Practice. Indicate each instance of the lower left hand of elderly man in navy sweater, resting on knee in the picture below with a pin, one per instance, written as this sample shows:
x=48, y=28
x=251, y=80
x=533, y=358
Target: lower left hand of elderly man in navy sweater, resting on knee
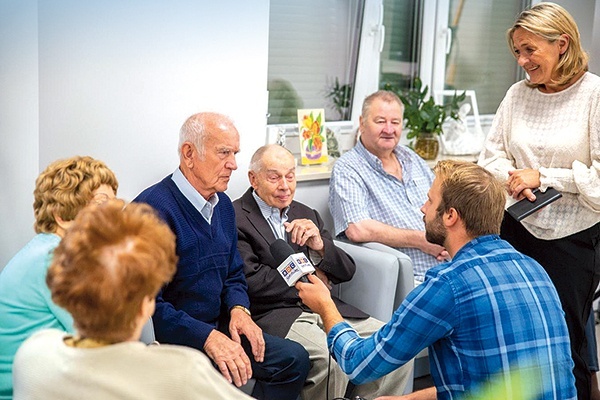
x=230, y=357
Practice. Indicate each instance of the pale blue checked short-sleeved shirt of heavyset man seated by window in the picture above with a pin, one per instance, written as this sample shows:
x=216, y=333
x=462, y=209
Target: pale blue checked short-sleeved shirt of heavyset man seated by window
x=361, y=189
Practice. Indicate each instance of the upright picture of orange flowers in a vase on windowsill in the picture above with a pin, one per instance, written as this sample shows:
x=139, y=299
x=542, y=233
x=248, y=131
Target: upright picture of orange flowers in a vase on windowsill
x=313, y=143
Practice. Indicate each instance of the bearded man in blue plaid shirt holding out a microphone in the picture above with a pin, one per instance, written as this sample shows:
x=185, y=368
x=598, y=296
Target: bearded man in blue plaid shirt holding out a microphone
x=491, y=316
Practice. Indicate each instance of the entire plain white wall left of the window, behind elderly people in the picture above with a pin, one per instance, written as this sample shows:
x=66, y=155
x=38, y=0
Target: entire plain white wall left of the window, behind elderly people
x=116, y=81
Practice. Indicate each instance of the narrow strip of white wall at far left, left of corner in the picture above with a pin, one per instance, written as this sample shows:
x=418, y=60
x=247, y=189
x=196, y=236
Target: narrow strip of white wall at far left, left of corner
x=18, y=122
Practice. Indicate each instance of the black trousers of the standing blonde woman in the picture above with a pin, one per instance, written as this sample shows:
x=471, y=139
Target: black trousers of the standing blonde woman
x=573, y=264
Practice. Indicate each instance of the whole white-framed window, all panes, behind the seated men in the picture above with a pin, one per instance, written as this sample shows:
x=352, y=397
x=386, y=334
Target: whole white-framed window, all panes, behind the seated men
x=449, y=44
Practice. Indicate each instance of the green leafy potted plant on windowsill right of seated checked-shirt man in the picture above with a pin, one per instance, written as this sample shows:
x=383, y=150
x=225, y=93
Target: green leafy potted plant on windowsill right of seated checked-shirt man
x=424, y=118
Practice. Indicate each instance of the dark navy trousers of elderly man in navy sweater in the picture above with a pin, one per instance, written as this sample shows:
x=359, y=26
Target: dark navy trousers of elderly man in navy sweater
x=282, y=373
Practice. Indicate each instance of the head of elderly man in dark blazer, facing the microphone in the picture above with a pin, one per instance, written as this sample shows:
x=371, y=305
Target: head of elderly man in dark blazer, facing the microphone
x=272, y=174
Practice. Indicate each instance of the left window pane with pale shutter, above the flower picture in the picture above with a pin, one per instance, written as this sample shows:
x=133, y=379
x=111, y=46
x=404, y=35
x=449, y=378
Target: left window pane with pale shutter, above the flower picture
x=313, y=50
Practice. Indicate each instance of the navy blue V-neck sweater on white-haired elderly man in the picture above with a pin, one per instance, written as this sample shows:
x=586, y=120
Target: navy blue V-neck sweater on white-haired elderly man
x=210, y=277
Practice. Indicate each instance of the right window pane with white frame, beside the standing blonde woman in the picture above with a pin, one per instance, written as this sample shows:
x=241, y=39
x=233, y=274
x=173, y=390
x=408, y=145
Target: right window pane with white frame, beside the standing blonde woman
x=471, y=51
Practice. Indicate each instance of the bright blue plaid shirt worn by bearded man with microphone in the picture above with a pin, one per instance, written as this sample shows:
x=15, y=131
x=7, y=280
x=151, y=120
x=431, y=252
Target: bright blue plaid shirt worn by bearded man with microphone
x=489, y=314
